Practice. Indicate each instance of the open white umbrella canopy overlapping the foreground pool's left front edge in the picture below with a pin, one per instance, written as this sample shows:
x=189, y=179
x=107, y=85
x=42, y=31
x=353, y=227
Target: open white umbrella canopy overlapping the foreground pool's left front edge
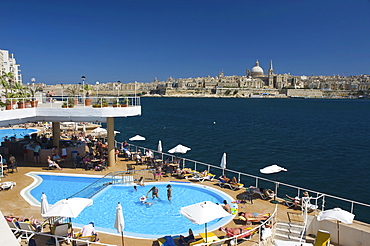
x=68, y=208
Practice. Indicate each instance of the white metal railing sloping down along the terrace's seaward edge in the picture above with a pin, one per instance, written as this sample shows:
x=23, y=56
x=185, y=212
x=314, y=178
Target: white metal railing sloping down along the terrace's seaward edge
x=321, y=199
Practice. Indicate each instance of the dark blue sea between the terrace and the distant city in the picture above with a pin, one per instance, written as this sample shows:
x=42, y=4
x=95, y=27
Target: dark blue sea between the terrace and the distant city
x=323, y=143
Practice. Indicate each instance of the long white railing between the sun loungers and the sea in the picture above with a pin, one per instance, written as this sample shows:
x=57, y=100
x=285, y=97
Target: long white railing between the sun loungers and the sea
x=319, y=197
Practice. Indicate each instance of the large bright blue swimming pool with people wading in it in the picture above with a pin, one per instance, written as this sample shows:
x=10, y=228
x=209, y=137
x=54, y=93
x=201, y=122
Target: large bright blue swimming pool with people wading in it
x=162, y=218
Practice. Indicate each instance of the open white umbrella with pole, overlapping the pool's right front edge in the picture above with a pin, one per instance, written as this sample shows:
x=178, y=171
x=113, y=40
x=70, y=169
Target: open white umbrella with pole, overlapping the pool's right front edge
x=203, y=212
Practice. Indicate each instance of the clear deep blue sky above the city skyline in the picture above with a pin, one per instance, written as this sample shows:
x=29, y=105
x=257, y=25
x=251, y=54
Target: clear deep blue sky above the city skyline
x=111, y=40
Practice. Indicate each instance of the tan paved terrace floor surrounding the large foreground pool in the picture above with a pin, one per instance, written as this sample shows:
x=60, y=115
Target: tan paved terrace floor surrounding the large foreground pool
x=13, y=204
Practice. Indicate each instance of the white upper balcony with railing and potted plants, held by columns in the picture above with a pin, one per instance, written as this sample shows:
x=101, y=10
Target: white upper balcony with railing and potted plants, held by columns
x=20, y=110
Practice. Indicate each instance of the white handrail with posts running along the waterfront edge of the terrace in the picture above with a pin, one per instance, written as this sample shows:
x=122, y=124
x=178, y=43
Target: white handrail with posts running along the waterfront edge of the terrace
x=319, y=195
